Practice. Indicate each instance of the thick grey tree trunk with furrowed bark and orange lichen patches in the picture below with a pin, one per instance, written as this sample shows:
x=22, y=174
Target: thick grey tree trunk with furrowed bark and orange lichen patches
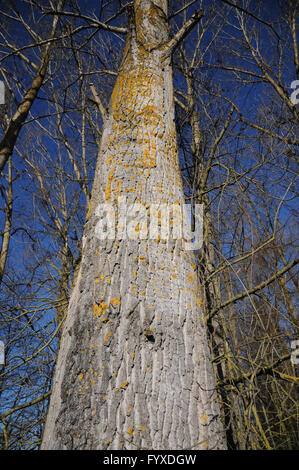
x=134, y=367
